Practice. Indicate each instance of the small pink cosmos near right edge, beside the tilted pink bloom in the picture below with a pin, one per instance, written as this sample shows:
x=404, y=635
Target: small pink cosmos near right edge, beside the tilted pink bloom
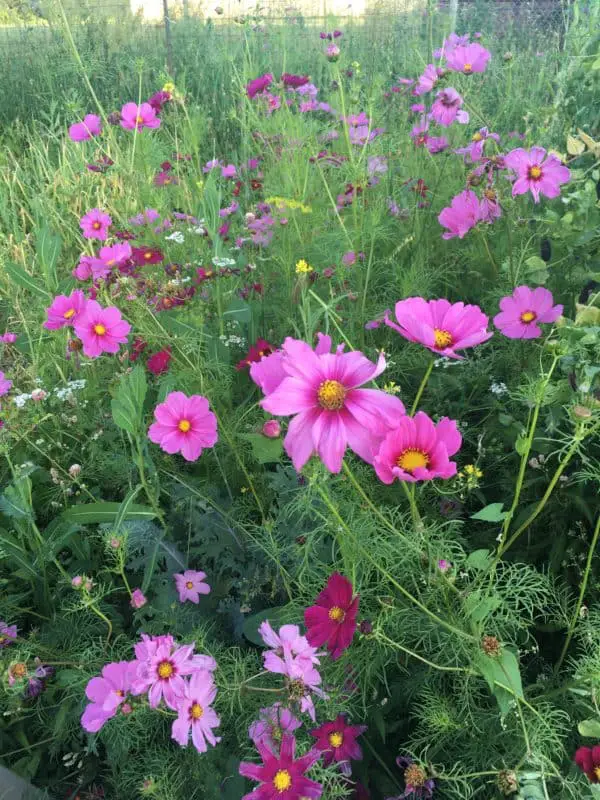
x=523, y=310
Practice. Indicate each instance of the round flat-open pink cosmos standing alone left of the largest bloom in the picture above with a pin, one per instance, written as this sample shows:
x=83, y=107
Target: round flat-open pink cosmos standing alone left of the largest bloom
x=184, y=425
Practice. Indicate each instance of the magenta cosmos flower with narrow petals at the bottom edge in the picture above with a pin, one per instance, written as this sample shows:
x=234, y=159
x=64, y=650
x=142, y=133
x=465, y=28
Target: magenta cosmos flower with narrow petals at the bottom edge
x=282, y=777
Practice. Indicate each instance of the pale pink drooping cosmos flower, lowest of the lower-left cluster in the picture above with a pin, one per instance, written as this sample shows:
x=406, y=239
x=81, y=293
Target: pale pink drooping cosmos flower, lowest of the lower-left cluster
x=195, y=713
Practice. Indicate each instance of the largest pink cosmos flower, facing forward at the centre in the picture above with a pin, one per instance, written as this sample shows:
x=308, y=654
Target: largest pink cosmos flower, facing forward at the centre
x=331, y=411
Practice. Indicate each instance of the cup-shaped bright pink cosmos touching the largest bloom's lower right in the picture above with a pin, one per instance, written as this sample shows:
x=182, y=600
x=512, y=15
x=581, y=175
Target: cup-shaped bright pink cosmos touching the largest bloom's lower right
x=418, y=450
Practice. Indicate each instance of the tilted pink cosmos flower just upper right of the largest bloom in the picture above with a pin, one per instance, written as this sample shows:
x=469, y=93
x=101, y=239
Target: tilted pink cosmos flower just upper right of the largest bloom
x=441, y=326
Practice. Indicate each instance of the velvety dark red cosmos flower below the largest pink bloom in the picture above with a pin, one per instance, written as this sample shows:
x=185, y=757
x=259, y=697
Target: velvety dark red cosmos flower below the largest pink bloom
x=332, y=619
